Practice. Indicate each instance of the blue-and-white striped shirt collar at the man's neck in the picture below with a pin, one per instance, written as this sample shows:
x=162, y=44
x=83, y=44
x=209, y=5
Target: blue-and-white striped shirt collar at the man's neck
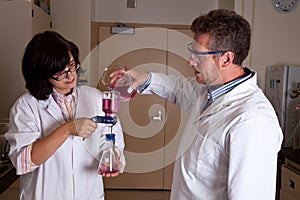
x=214, y=92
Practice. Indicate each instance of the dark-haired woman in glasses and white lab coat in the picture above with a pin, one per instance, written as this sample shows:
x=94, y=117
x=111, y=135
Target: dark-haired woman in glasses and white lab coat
x=54, y=144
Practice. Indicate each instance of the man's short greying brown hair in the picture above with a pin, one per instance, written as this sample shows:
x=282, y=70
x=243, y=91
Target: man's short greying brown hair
x=228, y=30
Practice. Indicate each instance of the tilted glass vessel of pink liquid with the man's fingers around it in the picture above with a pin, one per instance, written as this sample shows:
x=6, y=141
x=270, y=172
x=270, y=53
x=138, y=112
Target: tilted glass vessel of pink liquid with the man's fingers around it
x=120, y=81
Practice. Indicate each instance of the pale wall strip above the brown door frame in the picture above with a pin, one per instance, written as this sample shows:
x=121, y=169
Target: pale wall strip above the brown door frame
x=152, y=11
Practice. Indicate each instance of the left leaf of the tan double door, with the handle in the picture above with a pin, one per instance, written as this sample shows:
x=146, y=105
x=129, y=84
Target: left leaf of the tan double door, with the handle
x=144, y=137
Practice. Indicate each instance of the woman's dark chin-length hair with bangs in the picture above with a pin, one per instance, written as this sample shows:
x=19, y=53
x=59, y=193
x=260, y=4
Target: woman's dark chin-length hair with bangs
x=45, y=55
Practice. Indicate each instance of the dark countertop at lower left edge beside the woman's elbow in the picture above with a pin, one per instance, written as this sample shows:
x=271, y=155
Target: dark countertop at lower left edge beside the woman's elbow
x=8, y=176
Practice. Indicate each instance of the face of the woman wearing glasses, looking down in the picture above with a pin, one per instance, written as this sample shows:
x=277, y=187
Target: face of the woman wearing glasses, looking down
x=65, y=80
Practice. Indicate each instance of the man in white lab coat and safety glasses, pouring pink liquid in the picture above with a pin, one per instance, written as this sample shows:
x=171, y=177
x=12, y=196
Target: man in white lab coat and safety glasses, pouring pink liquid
x=231, y=140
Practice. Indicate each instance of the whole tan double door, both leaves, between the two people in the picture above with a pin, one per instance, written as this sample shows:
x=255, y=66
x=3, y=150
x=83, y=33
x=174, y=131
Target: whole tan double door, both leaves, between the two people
x=151, y=144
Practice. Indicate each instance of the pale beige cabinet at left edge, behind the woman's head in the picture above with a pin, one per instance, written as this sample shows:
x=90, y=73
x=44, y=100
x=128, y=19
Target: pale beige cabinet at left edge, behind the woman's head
x=19, y=21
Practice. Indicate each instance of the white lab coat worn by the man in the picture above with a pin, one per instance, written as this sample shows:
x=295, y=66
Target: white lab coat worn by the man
x=230, y=150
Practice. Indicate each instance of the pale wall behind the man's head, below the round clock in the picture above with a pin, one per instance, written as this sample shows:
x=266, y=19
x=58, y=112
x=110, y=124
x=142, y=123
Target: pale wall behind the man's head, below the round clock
x=275, y=36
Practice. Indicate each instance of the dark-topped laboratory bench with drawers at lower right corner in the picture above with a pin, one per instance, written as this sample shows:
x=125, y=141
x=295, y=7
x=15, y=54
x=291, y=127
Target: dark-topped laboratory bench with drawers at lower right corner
x=288, y=174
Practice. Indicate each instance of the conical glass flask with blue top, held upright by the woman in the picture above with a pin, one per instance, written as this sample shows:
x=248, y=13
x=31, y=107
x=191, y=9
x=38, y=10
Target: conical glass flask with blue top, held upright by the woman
x=109, y=161
